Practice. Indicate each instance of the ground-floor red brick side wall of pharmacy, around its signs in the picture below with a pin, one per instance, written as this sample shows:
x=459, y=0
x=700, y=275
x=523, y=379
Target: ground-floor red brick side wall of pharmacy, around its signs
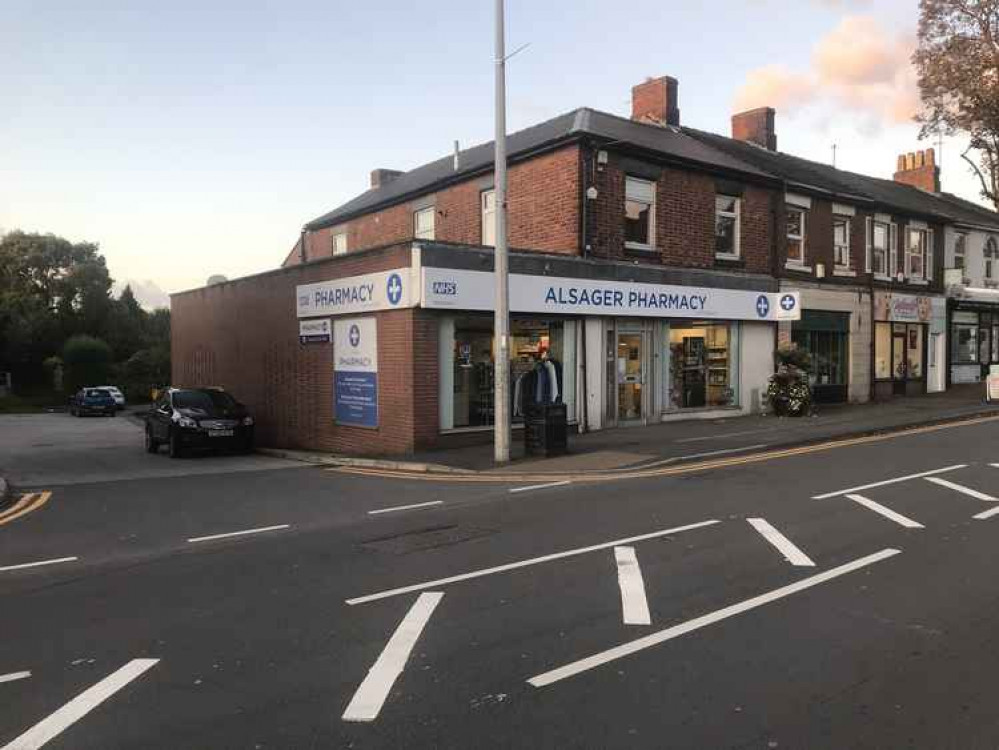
x=243, y=335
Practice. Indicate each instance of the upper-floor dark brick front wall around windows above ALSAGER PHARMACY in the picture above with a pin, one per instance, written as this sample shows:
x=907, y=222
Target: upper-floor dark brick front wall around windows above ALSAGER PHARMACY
x=685, y=220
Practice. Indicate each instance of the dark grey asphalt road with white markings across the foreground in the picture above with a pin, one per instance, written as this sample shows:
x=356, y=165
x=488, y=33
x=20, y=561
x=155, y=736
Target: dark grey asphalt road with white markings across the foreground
x=722, y=610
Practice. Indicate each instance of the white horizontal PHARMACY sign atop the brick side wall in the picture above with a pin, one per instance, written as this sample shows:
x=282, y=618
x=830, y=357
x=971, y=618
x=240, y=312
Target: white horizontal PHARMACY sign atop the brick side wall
x=387, y=290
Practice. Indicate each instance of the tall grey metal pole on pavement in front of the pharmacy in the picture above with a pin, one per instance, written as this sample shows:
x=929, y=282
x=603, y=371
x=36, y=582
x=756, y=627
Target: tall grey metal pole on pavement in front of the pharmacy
x=501, y=326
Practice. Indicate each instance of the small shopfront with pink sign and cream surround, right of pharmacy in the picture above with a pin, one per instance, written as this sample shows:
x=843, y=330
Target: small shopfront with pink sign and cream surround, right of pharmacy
x=909, y=332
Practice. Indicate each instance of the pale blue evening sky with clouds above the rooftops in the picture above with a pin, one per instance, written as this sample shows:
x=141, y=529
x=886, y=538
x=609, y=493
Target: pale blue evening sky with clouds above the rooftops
x=192, y=138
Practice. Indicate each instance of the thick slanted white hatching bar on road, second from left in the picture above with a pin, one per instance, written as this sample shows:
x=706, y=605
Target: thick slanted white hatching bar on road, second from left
x=370, y=696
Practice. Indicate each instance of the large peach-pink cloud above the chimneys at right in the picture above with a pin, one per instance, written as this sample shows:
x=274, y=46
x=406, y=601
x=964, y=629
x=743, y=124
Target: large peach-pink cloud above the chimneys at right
x=858, y=65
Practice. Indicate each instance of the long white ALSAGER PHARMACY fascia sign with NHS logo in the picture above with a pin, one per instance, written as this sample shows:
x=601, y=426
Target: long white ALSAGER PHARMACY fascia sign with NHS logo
x=474, y=290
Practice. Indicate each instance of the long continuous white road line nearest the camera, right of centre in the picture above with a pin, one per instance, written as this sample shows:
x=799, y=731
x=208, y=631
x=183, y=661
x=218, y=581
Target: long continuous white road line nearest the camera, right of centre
x=654, y=639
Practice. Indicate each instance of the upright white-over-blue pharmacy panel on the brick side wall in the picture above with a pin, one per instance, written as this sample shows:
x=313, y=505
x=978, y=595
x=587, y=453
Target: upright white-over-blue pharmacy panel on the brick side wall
x=355, y=377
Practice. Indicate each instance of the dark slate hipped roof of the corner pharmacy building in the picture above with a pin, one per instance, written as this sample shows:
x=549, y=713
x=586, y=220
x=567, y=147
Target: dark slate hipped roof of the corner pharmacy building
x=671, y=143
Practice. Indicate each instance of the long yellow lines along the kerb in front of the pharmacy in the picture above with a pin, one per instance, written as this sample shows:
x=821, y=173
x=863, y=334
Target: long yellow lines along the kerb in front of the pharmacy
x=639, y=473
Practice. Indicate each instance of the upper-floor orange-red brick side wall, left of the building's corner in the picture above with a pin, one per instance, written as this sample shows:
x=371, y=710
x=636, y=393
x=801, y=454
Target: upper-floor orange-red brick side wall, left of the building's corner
x=543, y=212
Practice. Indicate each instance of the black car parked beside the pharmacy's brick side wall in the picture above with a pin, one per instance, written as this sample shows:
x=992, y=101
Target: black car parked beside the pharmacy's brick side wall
x=198, y=418
